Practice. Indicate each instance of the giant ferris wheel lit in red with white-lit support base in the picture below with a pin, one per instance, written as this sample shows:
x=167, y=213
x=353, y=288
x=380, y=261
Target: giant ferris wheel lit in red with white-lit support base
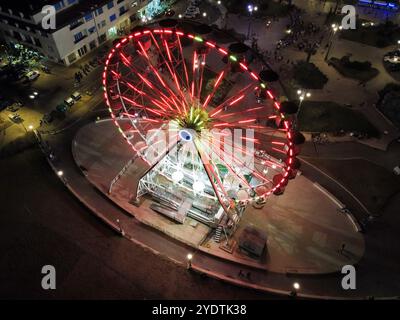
x=201, y=122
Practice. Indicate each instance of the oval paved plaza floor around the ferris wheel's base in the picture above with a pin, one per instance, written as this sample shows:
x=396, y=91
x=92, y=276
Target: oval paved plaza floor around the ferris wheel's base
x=304, y=226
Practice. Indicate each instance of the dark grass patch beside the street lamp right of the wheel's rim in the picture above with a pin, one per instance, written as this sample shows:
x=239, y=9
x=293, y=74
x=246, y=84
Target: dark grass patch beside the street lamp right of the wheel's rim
x=325, y=116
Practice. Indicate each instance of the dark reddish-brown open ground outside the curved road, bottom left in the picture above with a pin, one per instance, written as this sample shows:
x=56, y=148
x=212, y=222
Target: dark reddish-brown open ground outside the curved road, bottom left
x=41, y=223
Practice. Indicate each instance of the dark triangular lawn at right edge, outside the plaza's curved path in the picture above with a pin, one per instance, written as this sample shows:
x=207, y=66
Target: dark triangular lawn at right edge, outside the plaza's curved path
x=370, y=183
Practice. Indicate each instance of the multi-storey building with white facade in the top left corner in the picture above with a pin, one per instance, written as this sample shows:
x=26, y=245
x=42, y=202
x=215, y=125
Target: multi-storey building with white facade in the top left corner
x=80, y=25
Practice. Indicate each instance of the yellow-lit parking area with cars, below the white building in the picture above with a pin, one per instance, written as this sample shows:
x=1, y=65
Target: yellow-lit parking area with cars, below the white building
x=44, y=101
